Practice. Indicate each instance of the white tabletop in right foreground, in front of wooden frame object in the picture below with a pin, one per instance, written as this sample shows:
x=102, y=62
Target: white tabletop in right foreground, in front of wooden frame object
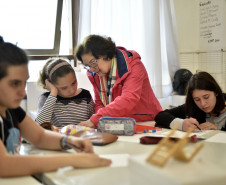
x=207, y=167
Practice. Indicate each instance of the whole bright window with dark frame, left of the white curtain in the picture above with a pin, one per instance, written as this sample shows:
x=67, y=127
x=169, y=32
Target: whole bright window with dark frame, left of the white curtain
x=42, y=27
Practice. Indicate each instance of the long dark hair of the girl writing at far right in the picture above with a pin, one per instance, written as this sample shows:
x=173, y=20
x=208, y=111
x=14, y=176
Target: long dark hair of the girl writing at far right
x=203, y=81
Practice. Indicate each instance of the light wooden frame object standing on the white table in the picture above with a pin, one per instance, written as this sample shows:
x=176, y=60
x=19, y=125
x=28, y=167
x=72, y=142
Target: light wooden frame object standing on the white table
x=167, y=148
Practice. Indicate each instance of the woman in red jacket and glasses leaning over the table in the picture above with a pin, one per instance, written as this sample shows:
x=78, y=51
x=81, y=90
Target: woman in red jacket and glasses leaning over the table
x=120, y=81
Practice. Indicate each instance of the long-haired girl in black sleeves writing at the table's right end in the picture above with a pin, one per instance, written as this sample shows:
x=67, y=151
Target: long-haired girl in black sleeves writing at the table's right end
x=204, y=106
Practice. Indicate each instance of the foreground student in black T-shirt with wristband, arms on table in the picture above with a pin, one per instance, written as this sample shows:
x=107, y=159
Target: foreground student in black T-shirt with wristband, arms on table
x=15, y=123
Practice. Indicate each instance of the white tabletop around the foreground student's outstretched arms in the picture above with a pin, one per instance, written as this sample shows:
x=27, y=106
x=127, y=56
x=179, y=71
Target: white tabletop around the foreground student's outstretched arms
x=118, y=151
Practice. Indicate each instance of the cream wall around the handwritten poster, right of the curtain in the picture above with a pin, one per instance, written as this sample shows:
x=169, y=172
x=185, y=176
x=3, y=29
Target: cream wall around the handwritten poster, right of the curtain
x=194, y=53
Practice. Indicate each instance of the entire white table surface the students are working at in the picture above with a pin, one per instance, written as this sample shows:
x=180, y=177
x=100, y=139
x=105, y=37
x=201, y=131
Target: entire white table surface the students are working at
x=129, y=166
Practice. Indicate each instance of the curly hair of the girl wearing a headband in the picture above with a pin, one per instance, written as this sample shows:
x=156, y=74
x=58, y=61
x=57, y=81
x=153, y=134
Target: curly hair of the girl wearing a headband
x=58, y=73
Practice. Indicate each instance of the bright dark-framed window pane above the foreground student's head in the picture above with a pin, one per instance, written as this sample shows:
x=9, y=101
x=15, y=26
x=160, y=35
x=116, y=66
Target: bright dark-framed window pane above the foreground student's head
x=32, y=25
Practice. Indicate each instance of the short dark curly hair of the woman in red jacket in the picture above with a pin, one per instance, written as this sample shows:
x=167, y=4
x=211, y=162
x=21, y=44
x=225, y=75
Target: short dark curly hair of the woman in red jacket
x=98, y=46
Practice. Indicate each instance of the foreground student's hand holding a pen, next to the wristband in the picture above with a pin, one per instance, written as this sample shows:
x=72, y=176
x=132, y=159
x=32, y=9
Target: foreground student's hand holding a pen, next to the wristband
x=84, y=144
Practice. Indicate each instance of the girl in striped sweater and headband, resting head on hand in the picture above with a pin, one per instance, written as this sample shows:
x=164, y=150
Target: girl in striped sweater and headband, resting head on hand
x=64, y=104
